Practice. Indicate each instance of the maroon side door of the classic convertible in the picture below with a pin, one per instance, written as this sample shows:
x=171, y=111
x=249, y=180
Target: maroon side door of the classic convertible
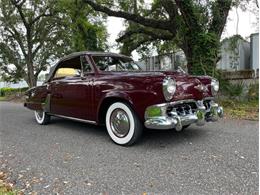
x=71, y=96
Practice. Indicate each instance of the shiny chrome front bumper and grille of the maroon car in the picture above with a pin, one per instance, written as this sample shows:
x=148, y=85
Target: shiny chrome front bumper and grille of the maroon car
x=182, y=113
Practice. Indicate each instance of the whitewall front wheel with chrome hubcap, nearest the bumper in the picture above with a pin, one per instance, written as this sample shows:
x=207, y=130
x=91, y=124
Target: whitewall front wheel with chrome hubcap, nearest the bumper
x=123, y=126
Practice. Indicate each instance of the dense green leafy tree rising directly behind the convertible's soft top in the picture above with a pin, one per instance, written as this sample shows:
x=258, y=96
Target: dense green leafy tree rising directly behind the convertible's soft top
x=85, y=27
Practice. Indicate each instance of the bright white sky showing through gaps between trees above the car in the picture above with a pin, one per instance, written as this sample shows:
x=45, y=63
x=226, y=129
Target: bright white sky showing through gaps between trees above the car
x=246, y=26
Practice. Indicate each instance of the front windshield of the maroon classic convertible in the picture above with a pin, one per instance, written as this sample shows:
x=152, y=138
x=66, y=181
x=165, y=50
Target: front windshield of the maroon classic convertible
x=112, y=63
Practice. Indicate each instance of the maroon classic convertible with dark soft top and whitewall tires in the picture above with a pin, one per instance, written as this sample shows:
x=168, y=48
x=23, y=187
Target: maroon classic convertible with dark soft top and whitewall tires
x=111, y=89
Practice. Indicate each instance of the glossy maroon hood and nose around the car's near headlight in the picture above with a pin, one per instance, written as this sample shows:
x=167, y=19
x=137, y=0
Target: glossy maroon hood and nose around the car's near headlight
x=152, y=81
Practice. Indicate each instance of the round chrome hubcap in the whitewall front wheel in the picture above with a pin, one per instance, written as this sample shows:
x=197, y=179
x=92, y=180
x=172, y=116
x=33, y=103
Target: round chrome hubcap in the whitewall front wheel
x=119, y=123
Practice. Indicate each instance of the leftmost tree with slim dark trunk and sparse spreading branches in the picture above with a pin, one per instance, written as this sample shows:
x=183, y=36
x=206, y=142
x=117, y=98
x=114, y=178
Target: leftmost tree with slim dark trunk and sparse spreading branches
x=30, y=38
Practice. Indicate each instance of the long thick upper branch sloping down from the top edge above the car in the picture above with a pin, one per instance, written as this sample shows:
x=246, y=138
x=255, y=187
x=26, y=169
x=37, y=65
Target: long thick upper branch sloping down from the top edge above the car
x=161, y=24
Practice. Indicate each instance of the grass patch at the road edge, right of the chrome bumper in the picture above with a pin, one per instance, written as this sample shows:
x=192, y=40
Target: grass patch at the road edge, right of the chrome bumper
x=241, y=109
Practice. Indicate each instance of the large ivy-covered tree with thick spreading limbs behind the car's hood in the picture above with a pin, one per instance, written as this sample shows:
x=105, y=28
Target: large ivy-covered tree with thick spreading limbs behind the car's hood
x=194, y=25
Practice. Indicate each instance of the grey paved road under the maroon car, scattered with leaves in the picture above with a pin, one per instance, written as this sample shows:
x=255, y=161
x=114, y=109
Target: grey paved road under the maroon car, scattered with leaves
x=68, y=157
